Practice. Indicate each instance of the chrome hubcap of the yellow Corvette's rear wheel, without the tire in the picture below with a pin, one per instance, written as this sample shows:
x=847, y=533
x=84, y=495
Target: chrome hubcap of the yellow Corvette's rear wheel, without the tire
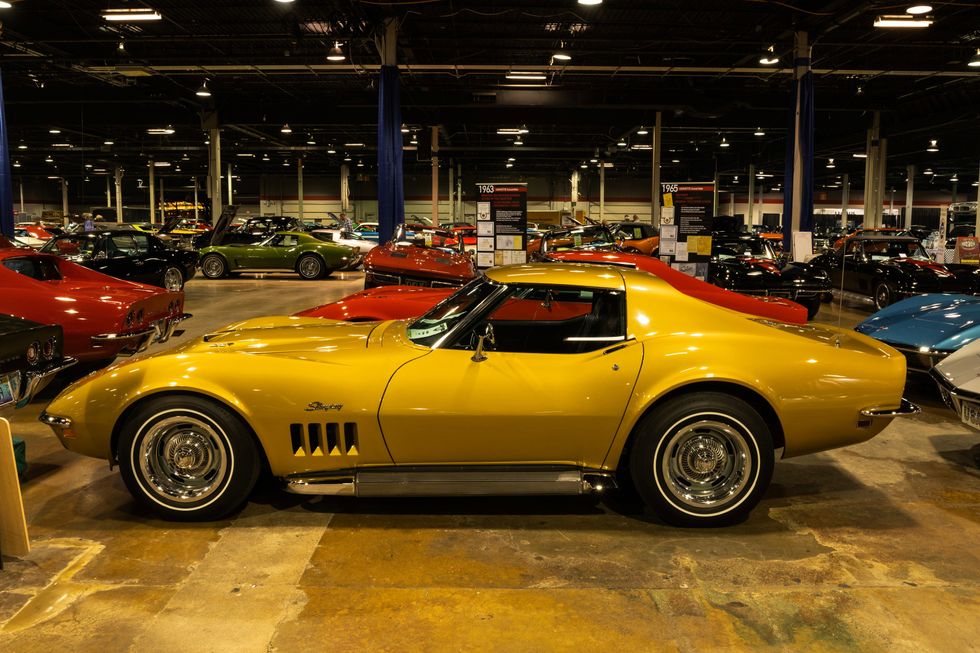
x=706, y=463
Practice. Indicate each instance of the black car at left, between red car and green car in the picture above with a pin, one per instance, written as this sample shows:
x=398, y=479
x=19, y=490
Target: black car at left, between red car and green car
x=127, y=254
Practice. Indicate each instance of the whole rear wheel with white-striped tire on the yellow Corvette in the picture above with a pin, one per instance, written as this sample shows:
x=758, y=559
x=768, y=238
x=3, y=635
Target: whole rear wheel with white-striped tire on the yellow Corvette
x=702, y=459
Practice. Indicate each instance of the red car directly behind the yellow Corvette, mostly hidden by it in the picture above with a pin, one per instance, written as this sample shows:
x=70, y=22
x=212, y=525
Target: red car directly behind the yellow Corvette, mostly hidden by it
x=401, y=302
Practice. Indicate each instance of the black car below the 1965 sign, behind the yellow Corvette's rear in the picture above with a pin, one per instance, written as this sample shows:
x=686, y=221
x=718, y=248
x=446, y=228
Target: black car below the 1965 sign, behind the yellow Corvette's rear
x=749, y=265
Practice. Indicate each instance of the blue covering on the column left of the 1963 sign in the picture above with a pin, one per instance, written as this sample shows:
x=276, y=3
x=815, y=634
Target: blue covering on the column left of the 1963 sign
x=391, y=192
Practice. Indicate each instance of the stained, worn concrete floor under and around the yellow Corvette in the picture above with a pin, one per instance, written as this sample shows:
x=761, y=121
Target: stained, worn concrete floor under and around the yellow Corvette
x=870, y=548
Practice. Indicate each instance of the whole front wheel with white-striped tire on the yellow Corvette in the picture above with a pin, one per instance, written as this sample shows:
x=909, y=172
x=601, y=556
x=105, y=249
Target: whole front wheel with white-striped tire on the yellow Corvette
x=187, y=458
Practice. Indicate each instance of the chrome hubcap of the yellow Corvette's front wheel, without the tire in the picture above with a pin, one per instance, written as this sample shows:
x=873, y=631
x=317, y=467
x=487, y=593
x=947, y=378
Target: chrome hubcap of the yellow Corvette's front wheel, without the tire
x=183, y=459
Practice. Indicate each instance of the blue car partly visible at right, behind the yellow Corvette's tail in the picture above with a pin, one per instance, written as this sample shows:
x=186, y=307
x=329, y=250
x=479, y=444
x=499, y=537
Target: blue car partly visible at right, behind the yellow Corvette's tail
x=926, y=328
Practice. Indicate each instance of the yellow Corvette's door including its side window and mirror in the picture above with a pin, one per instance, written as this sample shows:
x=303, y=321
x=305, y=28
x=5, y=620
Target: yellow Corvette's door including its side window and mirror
x=552, y=389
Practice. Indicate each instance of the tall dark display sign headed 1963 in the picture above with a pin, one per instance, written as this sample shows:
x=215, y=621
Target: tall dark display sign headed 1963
x=501, y=224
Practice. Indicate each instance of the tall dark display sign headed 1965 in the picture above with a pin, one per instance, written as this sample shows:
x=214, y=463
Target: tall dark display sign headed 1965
x=686, y=218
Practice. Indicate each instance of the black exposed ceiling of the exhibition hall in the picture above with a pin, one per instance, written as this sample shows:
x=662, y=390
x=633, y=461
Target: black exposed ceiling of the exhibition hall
x=697, y=62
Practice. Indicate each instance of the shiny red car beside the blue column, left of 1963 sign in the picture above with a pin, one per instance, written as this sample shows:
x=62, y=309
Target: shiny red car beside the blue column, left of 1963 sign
x=407, y=262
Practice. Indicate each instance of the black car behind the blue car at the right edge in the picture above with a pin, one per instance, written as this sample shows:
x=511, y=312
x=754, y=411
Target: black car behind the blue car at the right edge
x=884, y=269
